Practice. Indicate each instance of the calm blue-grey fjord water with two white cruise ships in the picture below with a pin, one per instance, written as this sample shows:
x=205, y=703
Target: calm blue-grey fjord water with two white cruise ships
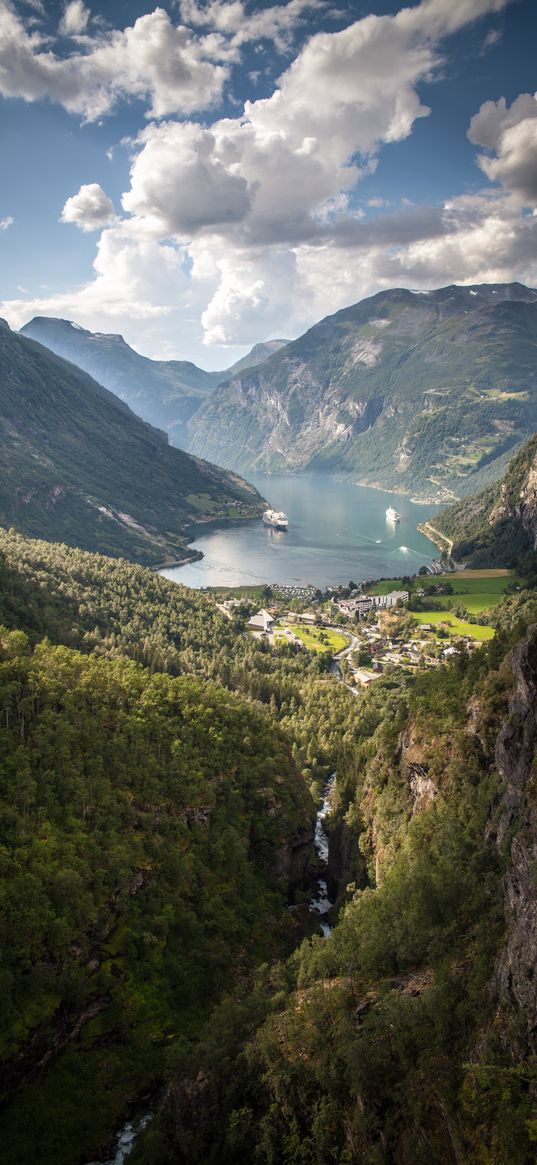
x=337, y=532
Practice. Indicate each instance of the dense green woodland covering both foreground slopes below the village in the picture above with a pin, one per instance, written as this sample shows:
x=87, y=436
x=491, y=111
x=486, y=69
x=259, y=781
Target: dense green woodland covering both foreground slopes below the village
x=157, y=766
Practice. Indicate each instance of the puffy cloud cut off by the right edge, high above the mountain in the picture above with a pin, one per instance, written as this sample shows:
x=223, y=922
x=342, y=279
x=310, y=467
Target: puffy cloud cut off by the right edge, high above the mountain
x=512, y=135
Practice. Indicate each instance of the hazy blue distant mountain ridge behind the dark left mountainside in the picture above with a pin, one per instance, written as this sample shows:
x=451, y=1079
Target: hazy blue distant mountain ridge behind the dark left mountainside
x=164, y=392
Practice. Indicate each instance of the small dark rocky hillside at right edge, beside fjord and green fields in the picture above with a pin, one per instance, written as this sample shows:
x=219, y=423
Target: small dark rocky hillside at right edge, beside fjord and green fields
x=499, y=525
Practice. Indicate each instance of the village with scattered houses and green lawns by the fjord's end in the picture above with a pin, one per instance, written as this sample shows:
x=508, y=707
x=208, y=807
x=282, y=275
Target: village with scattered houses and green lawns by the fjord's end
x=388, y=627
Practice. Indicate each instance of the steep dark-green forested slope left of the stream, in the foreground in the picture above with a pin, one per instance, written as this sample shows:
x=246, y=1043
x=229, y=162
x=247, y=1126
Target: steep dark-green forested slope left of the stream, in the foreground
x=140, y=877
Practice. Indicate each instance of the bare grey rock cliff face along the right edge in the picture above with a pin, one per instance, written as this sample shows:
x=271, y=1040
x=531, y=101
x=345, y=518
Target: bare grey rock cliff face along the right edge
x=517, y=969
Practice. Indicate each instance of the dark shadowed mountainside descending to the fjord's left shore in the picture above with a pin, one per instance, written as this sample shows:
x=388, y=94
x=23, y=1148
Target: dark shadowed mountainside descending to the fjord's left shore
x=77, y=465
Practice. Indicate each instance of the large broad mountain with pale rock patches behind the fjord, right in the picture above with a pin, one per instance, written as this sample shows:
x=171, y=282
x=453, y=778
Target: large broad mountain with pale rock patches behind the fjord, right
x=415, y=392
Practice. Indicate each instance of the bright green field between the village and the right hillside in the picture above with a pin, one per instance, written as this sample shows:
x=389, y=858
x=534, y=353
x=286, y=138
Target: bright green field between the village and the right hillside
x=476, y=590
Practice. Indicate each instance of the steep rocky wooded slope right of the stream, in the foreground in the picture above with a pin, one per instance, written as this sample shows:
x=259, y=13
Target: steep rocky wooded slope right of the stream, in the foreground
x=409, y=1036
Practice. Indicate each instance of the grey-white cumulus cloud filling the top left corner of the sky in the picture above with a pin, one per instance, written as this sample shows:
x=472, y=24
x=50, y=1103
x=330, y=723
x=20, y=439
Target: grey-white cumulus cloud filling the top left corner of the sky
x=164, y=65
